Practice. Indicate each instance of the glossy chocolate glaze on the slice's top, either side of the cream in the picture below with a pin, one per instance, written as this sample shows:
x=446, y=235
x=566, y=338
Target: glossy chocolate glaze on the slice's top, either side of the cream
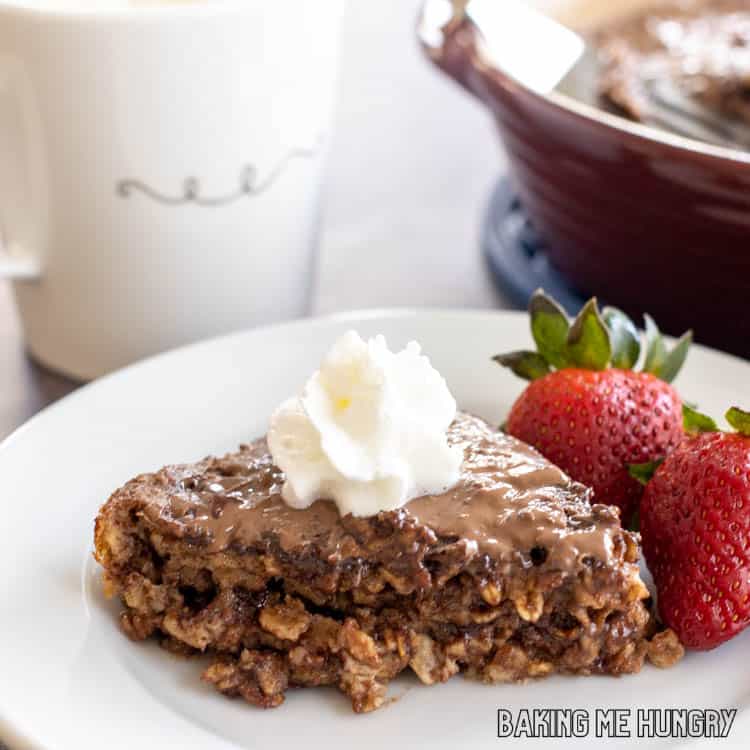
x=508, y=499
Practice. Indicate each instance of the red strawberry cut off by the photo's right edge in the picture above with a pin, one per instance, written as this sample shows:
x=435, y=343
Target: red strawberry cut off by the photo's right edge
x=695, y=525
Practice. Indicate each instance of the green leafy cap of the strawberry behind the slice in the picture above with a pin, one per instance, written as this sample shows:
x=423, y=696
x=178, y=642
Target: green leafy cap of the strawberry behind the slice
x=593, y=341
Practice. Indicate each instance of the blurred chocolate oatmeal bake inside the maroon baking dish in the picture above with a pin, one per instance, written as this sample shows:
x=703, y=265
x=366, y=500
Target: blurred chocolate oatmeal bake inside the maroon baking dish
x=684, y=65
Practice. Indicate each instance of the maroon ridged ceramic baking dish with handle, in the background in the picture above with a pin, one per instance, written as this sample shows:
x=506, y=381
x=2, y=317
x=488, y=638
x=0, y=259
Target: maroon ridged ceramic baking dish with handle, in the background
x=647, y=220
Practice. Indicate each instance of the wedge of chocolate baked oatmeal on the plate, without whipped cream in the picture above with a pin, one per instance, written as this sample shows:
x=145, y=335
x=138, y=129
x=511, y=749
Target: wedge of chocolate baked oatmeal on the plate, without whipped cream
x=511, y=574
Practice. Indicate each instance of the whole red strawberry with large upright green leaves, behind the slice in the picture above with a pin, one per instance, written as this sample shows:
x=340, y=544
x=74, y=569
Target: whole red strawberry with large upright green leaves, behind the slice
x=594, y=415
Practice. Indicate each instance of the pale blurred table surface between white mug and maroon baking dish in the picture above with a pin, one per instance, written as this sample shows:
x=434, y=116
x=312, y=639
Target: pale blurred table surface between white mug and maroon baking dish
x=413, y=161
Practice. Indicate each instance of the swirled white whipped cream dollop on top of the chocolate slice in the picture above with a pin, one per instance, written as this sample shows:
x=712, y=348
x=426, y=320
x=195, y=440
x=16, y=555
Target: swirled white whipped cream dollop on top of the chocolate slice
x=368, y=430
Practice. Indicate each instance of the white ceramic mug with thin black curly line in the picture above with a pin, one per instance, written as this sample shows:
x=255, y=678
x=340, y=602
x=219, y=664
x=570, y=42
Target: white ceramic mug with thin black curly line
x=159, y=169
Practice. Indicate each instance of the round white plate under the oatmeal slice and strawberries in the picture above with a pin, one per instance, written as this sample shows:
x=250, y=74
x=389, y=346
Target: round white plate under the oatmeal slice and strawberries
x=69, y=679
